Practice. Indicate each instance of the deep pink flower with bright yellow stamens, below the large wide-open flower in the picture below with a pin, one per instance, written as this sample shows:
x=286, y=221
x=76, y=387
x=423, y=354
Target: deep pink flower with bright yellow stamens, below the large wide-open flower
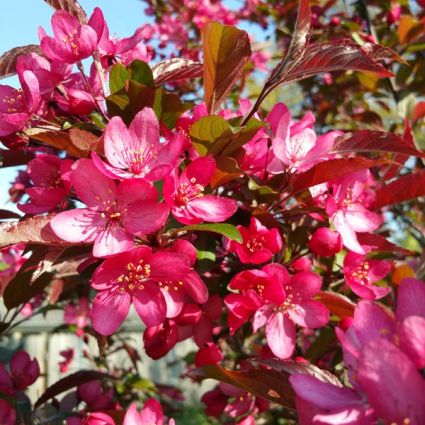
x=134, y=277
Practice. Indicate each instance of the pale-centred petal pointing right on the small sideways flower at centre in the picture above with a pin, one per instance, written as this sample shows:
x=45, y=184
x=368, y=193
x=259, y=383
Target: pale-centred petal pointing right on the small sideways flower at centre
x=214, y=209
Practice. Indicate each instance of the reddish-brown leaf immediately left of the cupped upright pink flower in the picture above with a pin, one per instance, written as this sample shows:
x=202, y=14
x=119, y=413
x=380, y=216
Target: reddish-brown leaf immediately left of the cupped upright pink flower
x=75, y=141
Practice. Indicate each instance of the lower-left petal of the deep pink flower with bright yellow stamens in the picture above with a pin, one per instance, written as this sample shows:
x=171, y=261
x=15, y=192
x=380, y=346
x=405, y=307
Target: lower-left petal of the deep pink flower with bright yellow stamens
x=110, y=308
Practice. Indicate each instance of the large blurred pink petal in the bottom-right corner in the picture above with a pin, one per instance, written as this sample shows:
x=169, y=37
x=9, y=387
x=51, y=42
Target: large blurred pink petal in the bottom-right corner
x=394, y=387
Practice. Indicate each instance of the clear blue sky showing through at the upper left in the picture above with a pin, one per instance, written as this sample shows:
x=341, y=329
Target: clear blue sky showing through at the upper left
x=19, y=27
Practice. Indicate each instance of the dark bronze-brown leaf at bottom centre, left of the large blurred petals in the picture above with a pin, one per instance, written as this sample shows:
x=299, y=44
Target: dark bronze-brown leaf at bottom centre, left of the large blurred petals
x=269, y=384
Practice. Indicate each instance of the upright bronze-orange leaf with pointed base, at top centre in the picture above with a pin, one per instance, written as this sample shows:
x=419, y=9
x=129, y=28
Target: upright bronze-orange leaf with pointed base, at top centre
x=226, y=50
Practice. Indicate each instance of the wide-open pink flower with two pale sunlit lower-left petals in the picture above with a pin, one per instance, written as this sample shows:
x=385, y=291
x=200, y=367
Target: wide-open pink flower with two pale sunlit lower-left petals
x=114, y=213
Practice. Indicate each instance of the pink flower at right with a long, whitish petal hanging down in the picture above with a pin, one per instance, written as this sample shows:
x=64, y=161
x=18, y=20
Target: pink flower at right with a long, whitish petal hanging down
x=347, y=209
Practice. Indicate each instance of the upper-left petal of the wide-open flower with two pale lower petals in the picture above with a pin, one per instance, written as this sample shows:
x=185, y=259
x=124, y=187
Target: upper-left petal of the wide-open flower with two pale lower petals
x=99, y=195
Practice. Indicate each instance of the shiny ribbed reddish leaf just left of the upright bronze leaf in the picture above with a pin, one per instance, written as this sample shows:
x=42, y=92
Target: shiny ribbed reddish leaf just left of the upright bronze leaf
x=176, y=69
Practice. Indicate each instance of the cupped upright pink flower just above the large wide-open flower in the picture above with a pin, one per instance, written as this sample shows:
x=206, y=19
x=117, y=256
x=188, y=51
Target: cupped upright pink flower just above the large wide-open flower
x=136, y=151
